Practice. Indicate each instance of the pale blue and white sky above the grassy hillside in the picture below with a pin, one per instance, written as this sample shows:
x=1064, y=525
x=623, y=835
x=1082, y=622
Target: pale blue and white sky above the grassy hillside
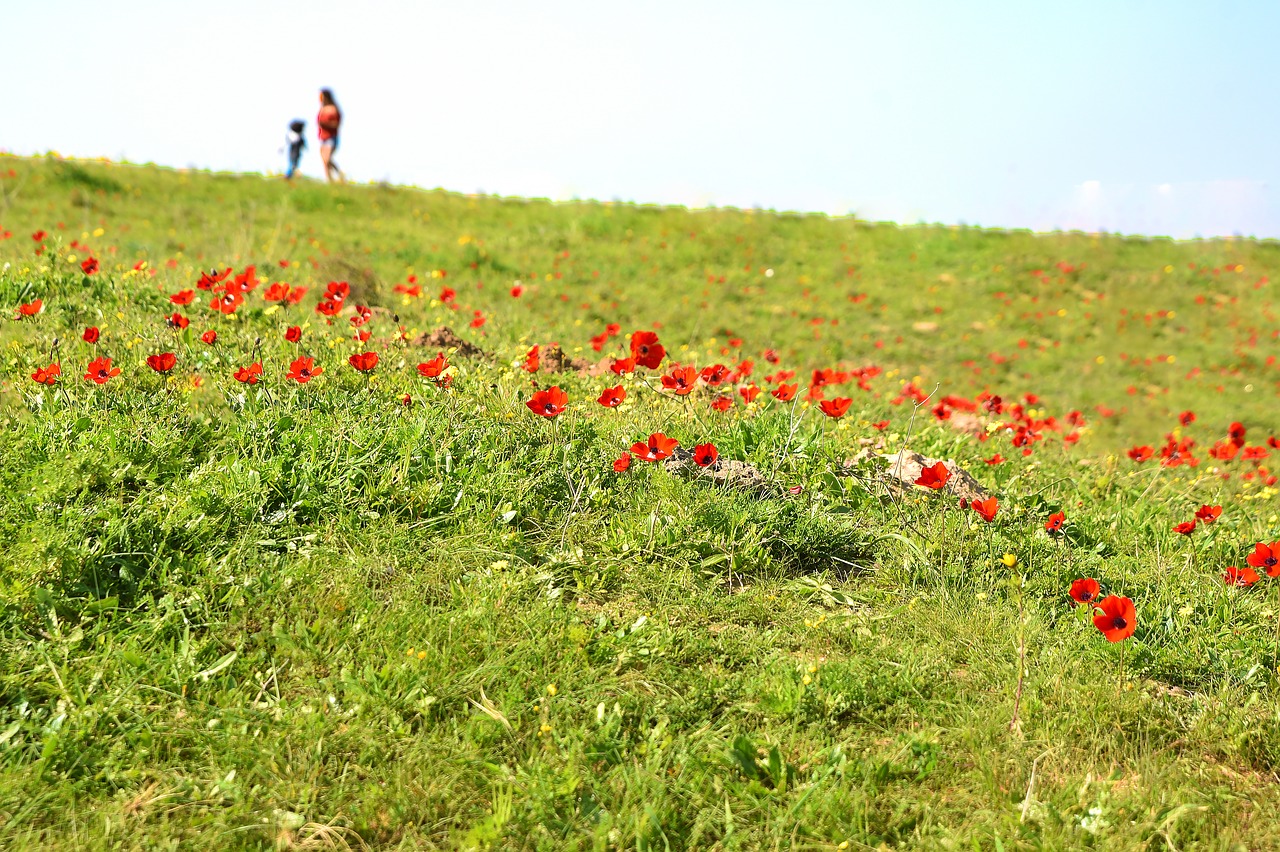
x=1124, y=116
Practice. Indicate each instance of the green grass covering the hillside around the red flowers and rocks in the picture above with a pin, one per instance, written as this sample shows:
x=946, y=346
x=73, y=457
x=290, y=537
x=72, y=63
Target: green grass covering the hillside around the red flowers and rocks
x=309, y=616
